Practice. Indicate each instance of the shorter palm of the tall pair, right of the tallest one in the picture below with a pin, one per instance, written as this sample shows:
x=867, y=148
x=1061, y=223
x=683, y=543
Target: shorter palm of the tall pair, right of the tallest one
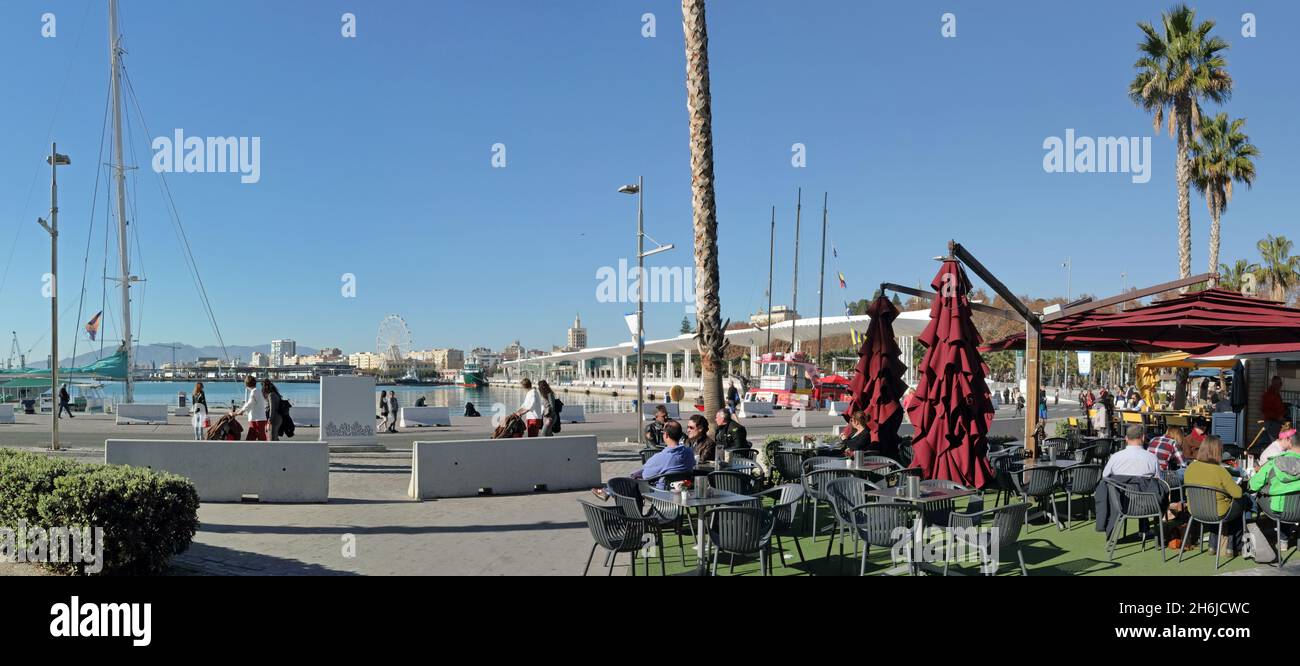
x=1220, y=158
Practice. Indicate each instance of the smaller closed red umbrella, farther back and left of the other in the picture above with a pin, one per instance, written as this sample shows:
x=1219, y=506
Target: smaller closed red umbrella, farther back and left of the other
x=878, y=384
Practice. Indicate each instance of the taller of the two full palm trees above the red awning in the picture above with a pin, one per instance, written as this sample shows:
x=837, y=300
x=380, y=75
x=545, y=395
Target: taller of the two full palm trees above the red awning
x=1176, y=71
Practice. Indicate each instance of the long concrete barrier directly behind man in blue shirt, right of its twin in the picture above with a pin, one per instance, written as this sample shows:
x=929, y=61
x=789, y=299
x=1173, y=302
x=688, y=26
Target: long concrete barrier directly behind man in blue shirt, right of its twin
x=462, y=469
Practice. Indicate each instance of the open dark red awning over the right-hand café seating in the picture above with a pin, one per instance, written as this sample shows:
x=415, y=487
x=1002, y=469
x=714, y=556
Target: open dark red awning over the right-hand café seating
x=1208, y=323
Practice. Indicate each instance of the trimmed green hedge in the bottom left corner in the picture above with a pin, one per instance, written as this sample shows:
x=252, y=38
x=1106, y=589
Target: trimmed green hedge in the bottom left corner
x=148, y=517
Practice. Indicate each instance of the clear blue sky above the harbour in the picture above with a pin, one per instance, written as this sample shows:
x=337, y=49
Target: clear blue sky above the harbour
x=376, y=157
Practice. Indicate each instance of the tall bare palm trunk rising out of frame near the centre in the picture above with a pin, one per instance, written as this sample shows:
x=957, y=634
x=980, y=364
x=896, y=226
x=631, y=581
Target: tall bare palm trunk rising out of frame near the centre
x=709, y=326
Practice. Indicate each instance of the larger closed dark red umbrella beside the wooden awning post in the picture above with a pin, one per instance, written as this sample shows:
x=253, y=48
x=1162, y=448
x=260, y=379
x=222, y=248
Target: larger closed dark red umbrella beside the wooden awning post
x=952, y=410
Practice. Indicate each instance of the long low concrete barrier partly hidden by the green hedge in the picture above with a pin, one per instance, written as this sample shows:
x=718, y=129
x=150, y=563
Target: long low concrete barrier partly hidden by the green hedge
x=228, y=472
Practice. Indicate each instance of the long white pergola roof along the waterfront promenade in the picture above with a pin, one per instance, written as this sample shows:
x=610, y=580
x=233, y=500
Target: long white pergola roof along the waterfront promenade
x=908, y=325
